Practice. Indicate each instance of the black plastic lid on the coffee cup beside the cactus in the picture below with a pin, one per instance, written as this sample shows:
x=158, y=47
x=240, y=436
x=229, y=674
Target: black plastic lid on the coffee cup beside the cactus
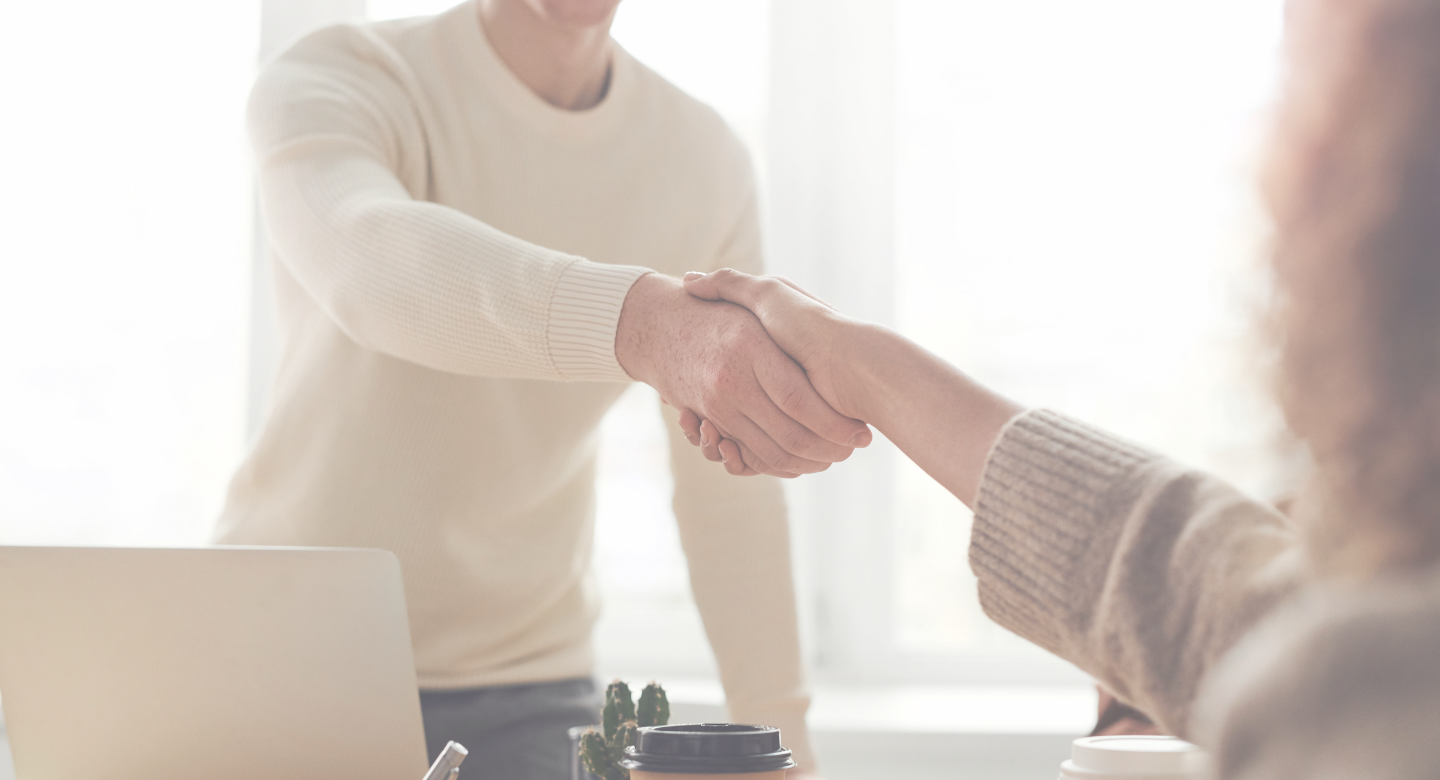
x=708, y=749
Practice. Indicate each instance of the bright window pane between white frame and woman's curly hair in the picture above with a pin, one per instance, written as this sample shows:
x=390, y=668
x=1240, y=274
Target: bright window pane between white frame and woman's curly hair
x=1076, y=225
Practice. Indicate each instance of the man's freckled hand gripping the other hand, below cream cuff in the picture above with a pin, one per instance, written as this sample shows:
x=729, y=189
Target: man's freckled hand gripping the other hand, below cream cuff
x=716, y=360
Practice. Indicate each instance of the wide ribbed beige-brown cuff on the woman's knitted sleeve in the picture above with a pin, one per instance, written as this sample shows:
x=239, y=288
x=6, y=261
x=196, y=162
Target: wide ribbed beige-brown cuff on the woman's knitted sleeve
x=1048, y=522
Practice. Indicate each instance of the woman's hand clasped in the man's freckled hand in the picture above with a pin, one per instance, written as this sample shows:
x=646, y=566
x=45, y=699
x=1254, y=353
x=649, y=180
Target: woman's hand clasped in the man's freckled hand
x=803, y=326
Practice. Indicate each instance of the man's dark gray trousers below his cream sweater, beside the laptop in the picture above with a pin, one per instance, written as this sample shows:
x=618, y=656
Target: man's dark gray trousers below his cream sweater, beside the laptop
x=512, y=732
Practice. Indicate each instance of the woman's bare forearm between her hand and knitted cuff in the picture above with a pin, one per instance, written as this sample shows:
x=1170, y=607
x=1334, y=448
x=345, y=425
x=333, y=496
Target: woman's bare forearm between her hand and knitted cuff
x=938, y=417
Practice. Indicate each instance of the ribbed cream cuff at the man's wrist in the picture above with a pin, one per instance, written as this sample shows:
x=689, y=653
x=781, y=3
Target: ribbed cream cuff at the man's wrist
x=585, y=312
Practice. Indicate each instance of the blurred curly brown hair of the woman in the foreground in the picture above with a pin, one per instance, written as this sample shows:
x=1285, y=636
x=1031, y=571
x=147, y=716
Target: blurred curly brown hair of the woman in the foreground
x=1354, y=186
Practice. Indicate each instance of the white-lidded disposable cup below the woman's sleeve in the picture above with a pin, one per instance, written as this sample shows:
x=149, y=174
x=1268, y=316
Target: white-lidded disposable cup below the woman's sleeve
x=1134, y=759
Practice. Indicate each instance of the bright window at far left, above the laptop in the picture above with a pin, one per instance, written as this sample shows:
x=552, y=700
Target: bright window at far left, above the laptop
x=125, y=268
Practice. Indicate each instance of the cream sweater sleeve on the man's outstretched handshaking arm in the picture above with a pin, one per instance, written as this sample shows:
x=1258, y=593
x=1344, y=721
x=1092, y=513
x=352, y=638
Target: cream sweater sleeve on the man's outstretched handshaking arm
x=343, y=178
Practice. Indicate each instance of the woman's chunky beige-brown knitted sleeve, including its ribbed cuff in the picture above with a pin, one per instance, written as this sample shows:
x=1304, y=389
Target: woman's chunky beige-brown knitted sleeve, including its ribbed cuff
x=1135, y=569
